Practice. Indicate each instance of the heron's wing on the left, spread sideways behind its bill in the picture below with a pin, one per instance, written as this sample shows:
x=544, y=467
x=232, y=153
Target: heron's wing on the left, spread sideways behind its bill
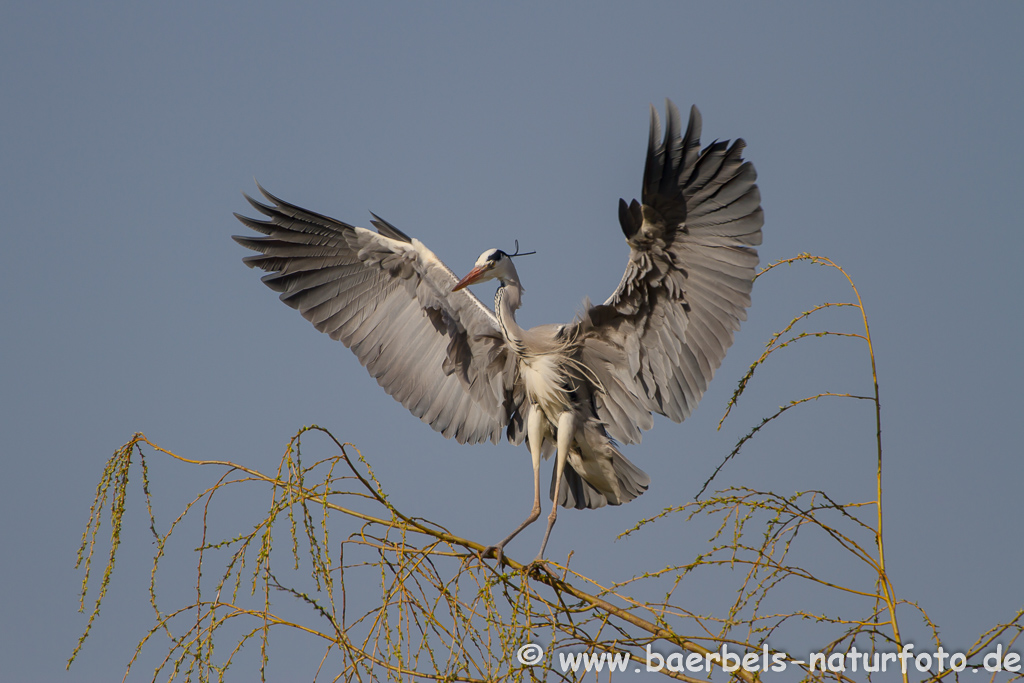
x=390, y=300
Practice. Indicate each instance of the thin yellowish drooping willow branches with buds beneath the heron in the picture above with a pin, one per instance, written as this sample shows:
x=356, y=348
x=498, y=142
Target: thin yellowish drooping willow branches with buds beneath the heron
x=330, y=537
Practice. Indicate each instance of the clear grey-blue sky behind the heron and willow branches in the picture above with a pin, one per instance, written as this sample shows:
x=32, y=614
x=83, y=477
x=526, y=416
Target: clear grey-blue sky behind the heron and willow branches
x=887, y=137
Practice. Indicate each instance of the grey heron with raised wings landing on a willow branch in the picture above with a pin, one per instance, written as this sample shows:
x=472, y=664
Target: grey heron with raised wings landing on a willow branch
x=573, y=391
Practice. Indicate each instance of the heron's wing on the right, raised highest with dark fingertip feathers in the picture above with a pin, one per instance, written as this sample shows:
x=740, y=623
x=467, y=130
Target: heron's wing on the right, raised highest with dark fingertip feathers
x=657, y=343
